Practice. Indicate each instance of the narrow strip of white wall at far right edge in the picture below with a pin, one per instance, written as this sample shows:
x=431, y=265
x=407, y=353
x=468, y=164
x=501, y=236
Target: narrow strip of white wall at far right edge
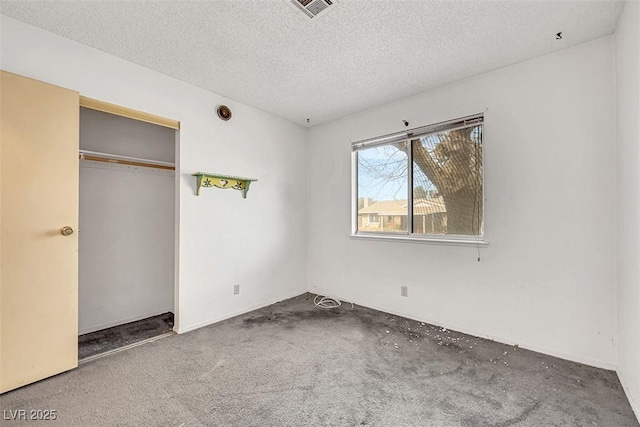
x=628, y=114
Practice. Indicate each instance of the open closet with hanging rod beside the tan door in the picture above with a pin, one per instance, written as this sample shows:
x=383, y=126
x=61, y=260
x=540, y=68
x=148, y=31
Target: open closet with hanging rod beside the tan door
x=127, y=231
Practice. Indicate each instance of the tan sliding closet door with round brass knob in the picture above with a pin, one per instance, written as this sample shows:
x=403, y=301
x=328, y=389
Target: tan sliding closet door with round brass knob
x=38, y=197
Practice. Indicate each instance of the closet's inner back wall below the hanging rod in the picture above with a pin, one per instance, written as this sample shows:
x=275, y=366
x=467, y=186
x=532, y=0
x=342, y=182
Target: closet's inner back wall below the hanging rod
x=126, y=244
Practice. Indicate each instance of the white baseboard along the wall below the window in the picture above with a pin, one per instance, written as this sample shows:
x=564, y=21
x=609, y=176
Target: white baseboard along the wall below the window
x=571, y=357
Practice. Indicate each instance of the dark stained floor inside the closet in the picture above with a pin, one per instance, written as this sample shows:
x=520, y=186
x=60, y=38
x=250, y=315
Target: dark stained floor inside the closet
x=109, y=339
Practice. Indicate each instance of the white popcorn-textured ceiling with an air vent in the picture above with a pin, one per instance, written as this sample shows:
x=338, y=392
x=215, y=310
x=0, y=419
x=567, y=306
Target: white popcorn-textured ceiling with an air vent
x=356, y=55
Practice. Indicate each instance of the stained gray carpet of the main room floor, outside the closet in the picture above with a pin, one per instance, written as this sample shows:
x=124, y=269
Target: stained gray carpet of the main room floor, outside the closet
x=292, y=365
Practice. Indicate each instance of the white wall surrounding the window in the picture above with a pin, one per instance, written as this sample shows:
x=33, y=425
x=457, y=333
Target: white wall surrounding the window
x=547, y=279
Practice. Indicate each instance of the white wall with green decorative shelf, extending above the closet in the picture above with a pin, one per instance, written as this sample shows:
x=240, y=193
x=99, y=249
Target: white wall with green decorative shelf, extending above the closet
x=258, y=242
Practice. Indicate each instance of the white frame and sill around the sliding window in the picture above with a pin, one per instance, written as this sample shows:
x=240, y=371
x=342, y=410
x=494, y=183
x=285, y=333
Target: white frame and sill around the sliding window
x=447, y=239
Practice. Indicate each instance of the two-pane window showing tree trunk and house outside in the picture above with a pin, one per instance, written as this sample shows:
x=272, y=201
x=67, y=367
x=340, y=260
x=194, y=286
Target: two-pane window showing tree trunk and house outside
x=426, y=183
